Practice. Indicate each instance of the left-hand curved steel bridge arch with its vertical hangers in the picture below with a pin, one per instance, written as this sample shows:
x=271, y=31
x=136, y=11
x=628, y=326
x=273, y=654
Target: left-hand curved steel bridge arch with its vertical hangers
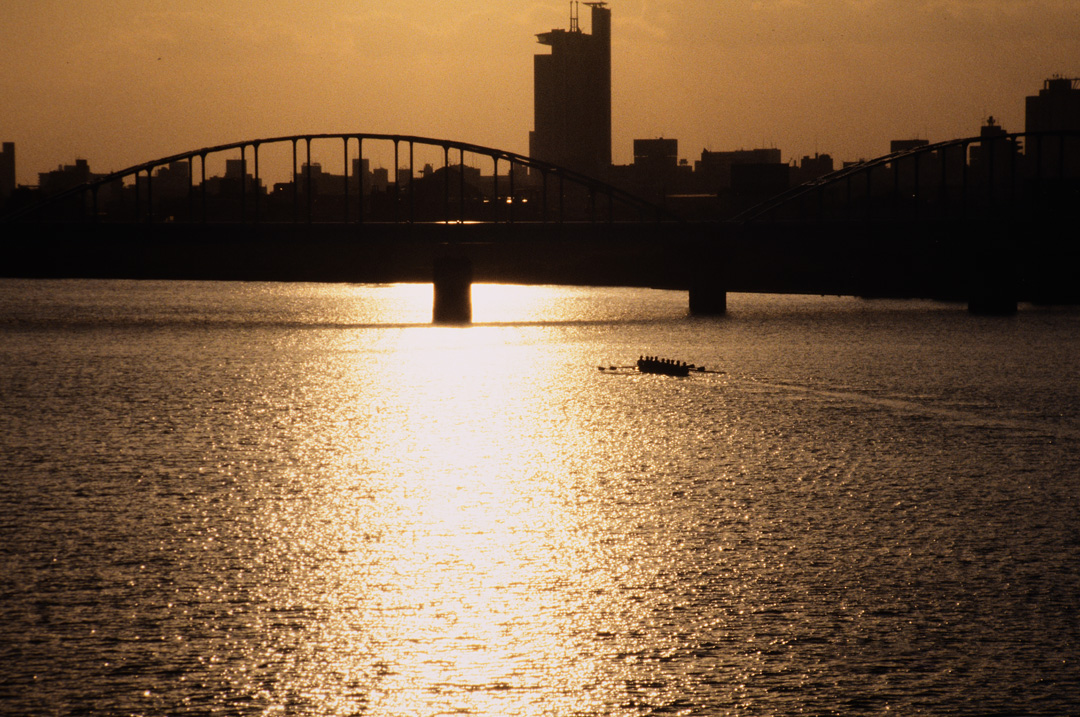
x=550, y=174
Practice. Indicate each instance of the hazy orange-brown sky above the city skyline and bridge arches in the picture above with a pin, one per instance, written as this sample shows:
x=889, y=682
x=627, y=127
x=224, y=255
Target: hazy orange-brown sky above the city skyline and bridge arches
x=120, y=83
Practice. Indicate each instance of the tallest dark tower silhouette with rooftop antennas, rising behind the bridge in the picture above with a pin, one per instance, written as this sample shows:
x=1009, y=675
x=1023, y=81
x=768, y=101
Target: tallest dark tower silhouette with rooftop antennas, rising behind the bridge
x=573, y=96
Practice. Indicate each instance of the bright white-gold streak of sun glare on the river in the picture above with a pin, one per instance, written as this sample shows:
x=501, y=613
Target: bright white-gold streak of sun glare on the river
x=455, y=563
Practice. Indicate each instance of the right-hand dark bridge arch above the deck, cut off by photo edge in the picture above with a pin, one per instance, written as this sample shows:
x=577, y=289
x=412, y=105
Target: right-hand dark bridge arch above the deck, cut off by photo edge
x=1016, y=174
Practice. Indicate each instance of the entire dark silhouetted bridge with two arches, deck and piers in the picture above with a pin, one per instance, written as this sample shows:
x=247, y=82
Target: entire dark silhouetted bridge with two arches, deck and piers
x=984, y=220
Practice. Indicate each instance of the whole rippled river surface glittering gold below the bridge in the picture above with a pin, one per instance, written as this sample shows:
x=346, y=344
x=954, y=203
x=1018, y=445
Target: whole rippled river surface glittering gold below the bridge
x=260, y=499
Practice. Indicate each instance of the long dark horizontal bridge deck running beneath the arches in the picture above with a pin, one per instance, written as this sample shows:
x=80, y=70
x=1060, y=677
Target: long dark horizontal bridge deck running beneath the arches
x=915, y=260
